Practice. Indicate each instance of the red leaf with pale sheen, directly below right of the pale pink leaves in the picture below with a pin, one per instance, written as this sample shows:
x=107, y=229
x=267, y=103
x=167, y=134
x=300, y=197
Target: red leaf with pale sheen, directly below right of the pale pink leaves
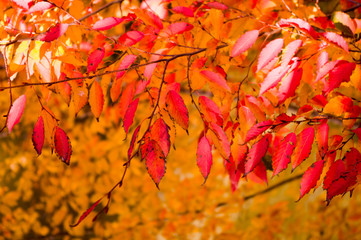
x=289, y=84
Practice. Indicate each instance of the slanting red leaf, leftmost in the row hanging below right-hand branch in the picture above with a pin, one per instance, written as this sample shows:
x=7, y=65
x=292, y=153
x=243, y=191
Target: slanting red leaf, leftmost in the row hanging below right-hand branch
x=256, y=153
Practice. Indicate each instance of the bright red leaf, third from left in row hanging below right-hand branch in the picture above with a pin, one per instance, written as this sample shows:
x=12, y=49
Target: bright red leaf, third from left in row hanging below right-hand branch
x=304, y=146
